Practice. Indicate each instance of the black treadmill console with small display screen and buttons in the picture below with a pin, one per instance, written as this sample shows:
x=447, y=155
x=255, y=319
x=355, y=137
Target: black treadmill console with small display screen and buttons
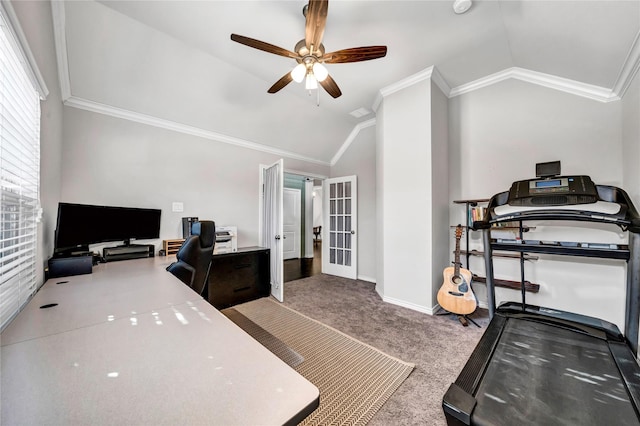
x=556, y=191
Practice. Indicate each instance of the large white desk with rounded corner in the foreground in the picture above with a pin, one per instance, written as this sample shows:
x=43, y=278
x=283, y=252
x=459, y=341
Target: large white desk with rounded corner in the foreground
x=131, y=344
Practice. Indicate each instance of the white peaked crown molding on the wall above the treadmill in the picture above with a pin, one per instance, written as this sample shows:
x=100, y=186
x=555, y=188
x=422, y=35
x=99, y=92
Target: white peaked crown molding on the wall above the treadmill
x=566, y=85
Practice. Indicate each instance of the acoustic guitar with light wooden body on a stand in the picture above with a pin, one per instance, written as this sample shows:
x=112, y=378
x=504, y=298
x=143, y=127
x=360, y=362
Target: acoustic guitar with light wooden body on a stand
x=456, y=295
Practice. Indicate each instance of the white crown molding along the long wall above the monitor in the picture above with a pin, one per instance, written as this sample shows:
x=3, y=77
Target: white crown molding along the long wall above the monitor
x=149, y=120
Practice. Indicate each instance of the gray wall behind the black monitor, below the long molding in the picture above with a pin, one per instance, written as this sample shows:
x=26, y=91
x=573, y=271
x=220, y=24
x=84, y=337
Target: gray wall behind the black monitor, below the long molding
x=112, y=161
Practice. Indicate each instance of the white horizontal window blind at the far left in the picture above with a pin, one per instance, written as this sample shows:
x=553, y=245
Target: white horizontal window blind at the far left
x=19, y=178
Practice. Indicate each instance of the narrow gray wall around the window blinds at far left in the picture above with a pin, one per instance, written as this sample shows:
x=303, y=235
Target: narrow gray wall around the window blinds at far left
x=35, y=20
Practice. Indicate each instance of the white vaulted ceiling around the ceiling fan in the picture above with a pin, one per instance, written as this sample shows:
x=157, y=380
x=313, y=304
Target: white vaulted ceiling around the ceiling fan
x=174, y=60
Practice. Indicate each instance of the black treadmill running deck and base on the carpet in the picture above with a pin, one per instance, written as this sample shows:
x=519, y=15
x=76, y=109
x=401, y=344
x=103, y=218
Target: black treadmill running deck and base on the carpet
x=546, y=367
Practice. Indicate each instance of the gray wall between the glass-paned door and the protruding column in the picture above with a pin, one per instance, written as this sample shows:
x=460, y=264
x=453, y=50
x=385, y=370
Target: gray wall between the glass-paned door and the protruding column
x=360, y=159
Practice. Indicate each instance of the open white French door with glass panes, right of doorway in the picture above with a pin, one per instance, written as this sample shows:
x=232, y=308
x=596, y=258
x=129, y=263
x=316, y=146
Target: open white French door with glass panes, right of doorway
x=339, y=238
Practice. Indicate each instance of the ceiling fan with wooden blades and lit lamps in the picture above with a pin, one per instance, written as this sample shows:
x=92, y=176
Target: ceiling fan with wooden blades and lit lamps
x=310, y=53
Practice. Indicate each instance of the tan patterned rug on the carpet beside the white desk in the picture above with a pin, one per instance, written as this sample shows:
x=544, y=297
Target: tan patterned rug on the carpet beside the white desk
x=354, y=379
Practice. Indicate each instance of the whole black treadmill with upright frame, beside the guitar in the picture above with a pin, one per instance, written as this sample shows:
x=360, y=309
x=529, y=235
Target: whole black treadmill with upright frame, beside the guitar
x=542, y=366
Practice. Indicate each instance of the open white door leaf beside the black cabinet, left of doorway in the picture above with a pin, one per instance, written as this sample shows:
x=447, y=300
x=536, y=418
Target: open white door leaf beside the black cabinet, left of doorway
x=272, y=183
